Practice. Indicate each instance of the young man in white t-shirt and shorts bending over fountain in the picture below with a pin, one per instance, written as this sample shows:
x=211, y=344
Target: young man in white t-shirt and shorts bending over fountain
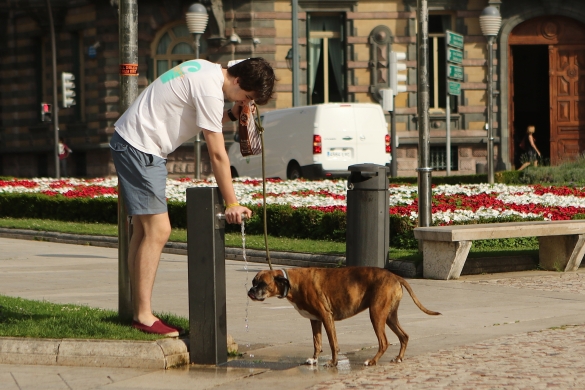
x=183, y=101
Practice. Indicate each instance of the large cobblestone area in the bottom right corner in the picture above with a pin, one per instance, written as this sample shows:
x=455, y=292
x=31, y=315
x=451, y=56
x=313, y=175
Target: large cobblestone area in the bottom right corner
x=551, y=358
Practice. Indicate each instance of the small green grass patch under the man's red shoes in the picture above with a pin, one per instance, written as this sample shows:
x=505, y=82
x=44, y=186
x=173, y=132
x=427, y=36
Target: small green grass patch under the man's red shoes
x=27, y=318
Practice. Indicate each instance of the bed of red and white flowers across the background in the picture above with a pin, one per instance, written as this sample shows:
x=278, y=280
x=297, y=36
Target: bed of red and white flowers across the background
x=450, y=203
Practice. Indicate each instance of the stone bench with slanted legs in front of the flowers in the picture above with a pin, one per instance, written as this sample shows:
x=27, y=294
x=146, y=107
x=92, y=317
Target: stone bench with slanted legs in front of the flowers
x=445, y=248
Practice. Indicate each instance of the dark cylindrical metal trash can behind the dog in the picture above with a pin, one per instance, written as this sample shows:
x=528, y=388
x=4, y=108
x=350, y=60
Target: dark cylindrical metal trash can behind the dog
x=367, y=233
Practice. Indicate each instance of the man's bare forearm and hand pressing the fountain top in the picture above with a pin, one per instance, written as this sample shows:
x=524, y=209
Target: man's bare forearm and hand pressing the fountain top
x=220, y=164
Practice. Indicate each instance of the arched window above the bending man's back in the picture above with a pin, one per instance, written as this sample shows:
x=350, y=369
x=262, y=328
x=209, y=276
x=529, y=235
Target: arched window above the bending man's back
x=173, y=46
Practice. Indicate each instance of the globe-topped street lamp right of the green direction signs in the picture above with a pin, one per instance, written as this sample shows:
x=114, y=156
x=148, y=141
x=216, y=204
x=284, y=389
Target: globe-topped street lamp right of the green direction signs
x=490, y=21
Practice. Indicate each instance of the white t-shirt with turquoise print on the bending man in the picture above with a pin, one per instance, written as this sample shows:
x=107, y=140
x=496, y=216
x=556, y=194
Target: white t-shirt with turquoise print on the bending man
x=174, y=108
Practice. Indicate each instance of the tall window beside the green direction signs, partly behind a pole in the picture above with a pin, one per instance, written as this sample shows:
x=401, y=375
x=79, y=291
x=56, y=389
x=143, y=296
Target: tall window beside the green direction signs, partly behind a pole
x=437, y=62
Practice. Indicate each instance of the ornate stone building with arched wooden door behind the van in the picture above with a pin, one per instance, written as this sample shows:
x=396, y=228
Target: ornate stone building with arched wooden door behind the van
x=539, y=72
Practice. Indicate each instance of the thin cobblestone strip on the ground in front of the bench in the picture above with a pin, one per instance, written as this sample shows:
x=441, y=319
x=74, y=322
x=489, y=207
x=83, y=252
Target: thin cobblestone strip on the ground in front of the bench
x=570, y=282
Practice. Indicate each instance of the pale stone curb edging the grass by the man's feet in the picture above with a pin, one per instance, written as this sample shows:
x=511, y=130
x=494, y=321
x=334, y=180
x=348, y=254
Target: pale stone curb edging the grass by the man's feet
x=160, y=354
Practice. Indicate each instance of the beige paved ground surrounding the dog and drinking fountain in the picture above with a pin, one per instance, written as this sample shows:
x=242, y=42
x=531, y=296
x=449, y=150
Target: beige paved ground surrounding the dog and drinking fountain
x=494, y=331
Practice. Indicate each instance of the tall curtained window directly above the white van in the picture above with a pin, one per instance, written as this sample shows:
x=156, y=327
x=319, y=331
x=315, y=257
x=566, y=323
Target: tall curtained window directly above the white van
x=326, y=58
